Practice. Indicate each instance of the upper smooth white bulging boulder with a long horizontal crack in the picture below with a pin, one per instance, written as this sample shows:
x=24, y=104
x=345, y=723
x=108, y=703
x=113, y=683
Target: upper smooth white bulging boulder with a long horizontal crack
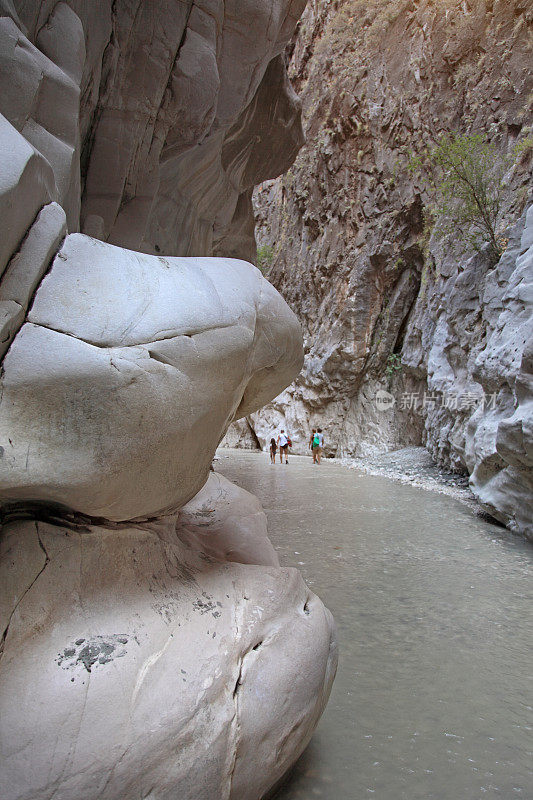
x=127, y=373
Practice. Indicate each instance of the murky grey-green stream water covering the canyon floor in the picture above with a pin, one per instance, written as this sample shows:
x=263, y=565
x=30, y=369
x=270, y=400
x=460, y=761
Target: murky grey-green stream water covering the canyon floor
x=434, y=607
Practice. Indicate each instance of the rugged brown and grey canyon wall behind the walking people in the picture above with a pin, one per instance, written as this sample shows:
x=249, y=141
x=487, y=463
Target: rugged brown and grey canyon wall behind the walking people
x=385, y=304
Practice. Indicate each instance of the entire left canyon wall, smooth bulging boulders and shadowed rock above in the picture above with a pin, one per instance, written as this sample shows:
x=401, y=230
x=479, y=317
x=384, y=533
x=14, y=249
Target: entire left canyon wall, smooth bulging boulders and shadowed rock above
x=150, y=643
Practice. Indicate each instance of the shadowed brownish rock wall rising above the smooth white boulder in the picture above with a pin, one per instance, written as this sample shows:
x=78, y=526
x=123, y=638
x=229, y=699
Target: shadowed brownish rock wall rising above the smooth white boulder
x=176, y=102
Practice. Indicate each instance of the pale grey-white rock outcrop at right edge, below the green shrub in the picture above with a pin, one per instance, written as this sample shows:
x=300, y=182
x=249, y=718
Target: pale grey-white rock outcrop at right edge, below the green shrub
x=499, y=434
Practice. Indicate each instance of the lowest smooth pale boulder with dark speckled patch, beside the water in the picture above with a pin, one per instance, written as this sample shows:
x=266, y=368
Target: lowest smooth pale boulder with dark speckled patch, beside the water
x=137, y=665
